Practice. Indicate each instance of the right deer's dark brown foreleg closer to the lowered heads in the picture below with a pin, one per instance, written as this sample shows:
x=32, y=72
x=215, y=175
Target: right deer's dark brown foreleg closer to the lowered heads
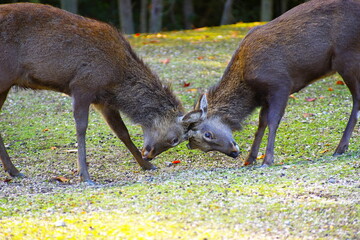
x=251, y=159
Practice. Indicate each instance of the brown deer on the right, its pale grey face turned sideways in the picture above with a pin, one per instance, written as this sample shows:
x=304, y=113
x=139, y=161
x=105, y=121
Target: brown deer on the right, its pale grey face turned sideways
x=312, y=40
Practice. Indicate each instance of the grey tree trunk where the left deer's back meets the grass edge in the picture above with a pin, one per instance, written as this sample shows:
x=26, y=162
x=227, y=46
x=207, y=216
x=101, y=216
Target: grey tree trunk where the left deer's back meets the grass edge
x=125, y=14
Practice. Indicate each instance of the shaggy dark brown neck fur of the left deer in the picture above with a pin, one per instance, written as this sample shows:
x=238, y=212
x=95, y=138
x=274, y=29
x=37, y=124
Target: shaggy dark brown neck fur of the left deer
x=144, y=98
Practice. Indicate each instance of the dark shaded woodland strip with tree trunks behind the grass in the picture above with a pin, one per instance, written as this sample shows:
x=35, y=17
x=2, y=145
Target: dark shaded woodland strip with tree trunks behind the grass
x=132, y=16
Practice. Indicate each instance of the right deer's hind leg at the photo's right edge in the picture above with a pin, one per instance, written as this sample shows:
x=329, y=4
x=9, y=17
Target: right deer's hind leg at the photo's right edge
x=352, y=80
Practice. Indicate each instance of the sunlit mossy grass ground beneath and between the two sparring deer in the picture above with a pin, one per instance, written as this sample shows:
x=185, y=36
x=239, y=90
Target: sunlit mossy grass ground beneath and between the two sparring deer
x=307, y=194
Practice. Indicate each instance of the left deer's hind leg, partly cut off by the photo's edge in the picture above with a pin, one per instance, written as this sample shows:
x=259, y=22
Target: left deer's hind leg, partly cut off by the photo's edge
x=5, y=159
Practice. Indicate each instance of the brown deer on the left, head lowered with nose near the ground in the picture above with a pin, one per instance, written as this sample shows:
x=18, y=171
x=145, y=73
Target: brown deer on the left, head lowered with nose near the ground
x=43, y=47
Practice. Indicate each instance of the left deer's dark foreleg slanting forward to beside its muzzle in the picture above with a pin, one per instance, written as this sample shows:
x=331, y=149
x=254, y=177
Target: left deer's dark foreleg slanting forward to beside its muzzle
x=116, y=123
